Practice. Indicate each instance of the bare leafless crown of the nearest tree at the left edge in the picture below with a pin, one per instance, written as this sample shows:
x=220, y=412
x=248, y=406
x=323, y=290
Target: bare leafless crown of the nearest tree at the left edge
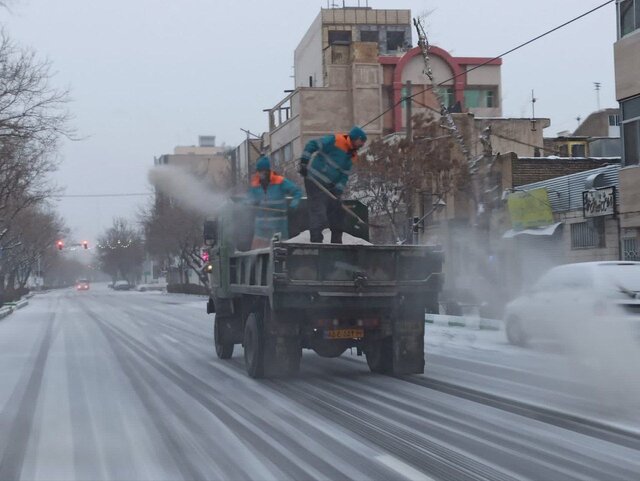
x=33, y=117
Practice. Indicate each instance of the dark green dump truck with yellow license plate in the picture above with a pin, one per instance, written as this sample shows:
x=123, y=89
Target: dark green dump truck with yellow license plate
x=291, y=296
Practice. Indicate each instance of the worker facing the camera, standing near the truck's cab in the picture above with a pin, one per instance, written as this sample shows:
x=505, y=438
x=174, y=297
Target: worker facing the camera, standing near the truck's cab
x=268, y=193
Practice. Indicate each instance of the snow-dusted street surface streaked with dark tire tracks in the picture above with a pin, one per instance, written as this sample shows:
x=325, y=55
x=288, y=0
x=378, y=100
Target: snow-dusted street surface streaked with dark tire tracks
x=126, y=386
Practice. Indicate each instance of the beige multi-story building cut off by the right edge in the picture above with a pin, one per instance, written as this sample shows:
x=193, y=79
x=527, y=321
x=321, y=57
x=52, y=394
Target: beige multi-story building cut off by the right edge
x=627, y=60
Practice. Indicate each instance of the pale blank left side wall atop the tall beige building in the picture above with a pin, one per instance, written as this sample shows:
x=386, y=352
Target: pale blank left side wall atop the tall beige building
x=307, y=58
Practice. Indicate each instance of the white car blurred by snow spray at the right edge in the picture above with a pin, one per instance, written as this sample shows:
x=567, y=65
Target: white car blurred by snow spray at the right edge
x=575, y=299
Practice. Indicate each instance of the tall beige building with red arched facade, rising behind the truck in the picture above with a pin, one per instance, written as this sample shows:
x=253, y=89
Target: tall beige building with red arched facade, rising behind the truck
x=355, y=63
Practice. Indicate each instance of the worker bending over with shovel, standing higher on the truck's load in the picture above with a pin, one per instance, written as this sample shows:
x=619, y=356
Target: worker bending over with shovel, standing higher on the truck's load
x=327, y=162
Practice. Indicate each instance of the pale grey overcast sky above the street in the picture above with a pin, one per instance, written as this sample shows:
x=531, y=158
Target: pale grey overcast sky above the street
x=147, y=75
